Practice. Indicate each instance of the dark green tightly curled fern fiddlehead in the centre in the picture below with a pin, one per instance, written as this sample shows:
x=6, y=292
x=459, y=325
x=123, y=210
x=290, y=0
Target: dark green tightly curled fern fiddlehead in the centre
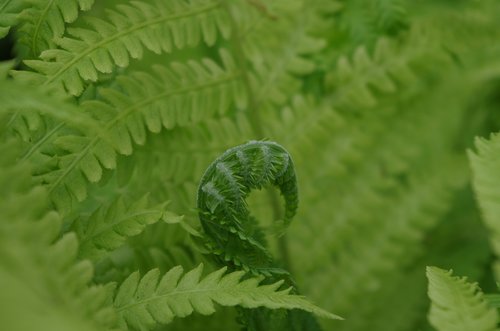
x=224, y=215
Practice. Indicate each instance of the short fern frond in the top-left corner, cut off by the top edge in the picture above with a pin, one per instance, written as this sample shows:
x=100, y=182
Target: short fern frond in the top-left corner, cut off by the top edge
x=44, y=21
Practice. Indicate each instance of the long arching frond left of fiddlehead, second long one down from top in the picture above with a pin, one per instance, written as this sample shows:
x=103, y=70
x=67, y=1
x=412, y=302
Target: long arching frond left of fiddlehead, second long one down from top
x=175, y=96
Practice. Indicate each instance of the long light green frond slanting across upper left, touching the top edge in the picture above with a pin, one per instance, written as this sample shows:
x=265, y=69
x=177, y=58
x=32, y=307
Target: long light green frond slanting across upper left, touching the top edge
x=123, y=35
